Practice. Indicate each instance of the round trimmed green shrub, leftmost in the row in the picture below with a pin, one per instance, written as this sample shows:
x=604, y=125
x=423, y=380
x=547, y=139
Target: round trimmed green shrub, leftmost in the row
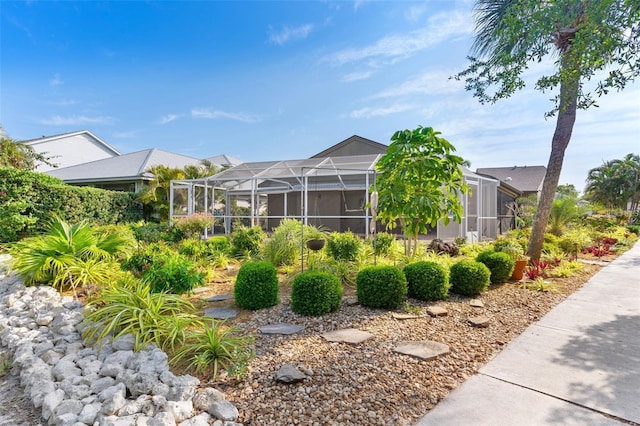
x=256, y=286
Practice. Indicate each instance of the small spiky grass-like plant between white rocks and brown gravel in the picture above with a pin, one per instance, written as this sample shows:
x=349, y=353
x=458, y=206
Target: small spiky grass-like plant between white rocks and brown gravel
x=215, y=346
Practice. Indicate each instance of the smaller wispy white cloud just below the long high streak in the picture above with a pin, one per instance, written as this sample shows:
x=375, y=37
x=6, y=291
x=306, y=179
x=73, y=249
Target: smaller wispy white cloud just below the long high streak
x=429, y=83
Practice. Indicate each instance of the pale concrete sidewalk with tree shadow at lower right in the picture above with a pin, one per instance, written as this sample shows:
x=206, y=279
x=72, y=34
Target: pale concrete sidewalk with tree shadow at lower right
x=579, y=365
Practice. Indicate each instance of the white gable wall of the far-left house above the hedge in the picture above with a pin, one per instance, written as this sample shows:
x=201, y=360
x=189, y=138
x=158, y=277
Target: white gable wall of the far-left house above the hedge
x=71, y=150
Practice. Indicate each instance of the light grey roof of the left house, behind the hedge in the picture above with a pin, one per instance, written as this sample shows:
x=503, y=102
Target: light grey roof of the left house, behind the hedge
x=131, y=166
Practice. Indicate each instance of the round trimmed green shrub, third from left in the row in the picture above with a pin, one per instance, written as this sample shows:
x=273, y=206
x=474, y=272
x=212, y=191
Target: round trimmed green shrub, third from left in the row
x=381, y=287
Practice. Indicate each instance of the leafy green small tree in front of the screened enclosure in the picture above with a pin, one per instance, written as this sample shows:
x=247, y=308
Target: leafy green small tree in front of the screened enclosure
x=419, y=183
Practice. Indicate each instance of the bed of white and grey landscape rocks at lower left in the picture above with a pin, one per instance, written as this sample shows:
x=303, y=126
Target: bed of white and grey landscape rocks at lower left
x=112, y=385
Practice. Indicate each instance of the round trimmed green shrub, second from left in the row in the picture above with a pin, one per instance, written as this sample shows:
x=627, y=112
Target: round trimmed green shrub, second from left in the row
x=315, y=293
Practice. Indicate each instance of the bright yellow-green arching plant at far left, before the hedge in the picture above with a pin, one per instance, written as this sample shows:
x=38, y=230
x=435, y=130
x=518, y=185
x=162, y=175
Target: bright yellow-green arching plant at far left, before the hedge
x=69, y=255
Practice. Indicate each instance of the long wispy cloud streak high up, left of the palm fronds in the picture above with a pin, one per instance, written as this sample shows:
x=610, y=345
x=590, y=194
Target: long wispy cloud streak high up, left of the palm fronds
x=440, y=27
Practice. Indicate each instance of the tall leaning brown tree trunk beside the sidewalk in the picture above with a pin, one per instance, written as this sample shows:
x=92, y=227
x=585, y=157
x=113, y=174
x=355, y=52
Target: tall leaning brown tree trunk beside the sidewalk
x=564, y=126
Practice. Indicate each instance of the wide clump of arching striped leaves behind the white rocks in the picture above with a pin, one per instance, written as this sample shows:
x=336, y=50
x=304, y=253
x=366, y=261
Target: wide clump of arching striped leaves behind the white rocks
x=129, y=306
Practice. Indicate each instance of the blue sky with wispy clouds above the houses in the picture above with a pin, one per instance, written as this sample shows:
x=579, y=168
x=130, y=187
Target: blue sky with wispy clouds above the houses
x=277, y=80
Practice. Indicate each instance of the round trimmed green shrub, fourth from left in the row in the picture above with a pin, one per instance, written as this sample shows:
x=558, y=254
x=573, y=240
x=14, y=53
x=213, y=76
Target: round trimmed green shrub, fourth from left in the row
x=427, y=280
